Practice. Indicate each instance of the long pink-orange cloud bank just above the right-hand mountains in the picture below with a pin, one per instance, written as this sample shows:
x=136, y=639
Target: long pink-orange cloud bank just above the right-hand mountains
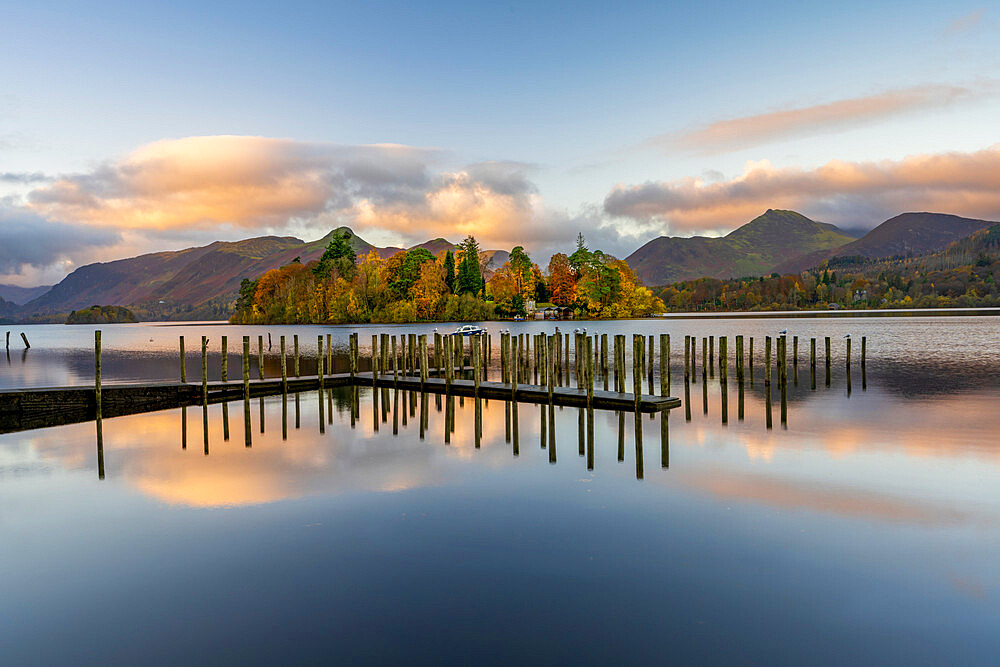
x=854, y=193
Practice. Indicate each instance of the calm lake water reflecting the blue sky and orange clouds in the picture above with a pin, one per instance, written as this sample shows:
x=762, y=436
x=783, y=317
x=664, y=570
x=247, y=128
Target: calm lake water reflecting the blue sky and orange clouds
x=362, y=527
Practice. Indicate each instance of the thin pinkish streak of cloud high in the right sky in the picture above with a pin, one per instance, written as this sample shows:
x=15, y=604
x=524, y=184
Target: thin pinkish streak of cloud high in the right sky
x=747, y=131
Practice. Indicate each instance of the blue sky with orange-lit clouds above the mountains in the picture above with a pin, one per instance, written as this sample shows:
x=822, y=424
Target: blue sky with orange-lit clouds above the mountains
x=138, y=127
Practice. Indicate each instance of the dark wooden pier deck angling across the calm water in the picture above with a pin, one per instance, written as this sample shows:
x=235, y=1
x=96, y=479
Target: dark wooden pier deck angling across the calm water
x=25, y=409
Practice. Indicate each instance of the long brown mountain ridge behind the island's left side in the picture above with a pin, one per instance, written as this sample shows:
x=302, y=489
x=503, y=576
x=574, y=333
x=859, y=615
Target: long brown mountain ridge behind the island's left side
x=194, y=283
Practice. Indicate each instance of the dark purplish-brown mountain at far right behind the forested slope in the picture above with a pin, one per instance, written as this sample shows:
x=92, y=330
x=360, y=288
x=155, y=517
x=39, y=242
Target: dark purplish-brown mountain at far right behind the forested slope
x=913, y=234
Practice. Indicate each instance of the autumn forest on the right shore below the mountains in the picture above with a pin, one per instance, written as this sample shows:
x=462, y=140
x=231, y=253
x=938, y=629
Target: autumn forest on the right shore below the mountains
x=964, y=275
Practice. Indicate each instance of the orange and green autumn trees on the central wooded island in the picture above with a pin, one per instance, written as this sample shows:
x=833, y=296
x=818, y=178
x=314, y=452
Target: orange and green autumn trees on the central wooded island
x=415, y=285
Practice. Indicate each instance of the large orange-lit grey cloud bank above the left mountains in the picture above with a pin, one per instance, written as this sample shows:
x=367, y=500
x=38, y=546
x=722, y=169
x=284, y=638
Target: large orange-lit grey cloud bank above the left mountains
x=259, y=183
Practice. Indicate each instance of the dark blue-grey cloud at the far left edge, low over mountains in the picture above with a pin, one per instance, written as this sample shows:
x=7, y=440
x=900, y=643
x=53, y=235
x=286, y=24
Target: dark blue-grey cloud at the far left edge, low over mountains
x=29, y=240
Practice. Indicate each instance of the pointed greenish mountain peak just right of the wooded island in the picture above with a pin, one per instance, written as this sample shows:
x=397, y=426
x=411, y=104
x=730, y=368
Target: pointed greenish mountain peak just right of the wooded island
x=756, y=248
